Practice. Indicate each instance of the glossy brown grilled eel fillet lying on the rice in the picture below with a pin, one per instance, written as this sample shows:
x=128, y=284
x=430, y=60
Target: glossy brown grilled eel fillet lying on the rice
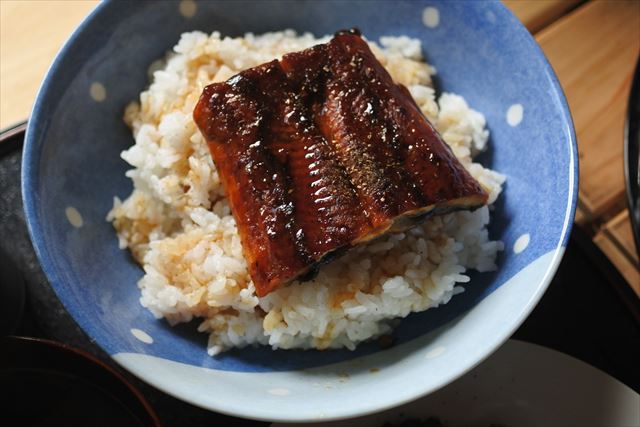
x=322, y=151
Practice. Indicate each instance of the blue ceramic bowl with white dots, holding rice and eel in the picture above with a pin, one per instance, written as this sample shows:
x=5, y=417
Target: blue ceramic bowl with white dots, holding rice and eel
x=72, y=168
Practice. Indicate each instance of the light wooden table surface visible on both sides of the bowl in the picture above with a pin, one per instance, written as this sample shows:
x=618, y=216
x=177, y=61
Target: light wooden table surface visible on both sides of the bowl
x=592, y=45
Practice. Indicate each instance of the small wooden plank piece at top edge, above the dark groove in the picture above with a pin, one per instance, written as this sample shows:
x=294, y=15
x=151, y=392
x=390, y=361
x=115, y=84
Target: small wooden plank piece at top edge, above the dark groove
x=537, y=14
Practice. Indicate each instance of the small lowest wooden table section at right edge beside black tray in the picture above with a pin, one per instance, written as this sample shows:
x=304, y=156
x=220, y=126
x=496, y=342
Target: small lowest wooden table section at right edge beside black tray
x=616, y=241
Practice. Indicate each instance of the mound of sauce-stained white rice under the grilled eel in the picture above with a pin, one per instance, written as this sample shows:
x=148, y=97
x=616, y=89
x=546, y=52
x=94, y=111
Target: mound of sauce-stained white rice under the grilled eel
x=178, y=224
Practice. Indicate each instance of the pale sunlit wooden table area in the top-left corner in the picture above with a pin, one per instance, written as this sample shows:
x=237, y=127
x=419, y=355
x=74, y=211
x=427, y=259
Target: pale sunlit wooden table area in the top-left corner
x=31, y=33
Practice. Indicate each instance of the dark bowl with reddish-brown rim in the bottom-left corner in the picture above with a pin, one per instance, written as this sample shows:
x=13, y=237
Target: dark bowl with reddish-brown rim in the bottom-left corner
x=50, y=384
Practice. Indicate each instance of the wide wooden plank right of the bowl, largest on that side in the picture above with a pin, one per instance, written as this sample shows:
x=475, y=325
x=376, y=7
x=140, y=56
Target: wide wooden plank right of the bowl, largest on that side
x=594, y=50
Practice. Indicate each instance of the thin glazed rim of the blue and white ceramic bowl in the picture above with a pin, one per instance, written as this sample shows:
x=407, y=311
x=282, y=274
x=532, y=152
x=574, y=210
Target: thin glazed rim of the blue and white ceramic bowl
x=31, y=159
